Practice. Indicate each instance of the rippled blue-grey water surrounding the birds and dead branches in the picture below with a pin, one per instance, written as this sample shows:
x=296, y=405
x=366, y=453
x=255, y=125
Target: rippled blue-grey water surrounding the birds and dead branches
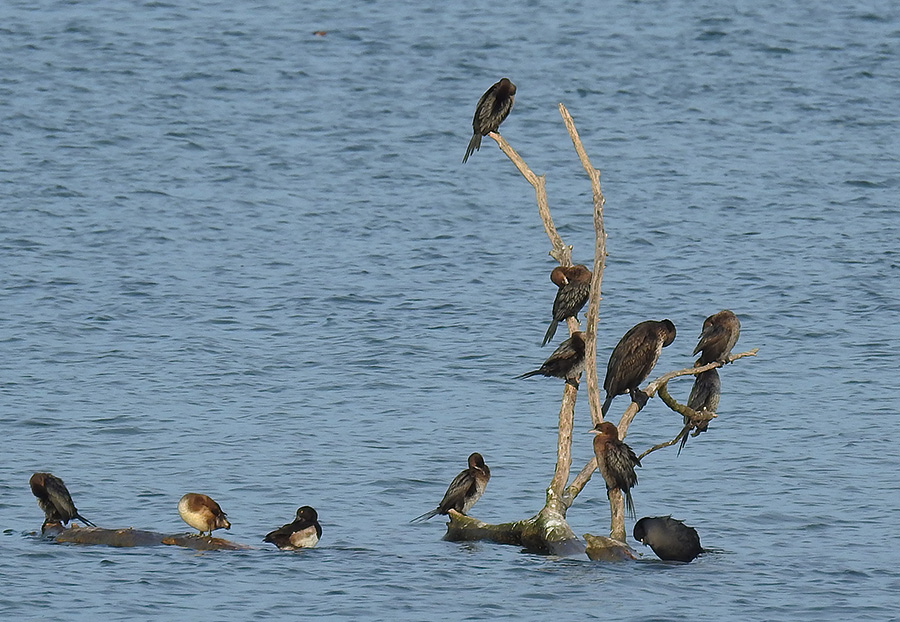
x=243, y=259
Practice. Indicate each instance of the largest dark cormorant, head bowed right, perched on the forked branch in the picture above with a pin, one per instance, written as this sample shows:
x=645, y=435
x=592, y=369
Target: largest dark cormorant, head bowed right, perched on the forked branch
x=633, y=359
